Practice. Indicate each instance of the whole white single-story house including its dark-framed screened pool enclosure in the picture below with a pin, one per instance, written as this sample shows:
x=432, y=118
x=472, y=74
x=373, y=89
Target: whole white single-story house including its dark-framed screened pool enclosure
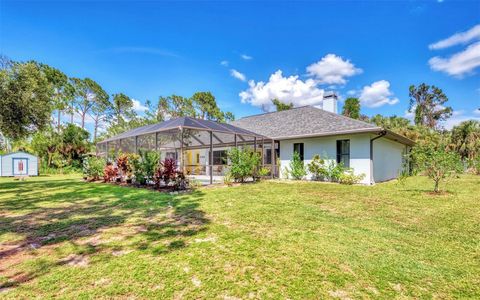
x=200, y=146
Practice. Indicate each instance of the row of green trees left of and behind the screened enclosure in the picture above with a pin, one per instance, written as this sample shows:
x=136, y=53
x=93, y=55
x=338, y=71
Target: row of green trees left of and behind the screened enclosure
x=37, y=100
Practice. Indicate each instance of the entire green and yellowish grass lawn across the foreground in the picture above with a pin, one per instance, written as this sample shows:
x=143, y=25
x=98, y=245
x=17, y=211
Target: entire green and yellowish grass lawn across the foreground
x=61, y=237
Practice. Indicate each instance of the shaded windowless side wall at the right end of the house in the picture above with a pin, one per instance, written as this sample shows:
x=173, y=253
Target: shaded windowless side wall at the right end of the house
x=388, y=158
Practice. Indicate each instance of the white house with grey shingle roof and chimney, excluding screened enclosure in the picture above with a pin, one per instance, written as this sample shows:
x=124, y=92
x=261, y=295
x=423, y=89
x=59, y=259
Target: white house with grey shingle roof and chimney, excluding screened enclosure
x=309, y=130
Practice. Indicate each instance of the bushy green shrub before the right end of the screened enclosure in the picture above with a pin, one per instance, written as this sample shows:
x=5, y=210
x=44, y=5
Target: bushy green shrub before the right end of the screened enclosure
x=243, y=163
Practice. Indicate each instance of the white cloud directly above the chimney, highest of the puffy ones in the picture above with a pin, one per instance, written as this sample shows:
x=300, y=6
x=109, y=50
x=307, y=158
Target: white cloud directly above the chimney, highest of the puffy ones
x=332, y=69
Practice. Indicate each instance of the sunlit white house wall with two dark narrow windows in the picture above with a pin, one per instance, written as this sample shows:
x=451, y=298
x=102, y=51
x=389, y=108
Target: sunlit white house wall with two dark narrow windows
x=327, y=146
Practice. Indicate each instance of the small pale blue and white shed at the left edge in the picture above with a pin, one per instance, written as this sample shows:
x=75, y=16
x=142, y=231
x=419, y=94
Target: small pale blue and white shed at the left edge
x=18, y=164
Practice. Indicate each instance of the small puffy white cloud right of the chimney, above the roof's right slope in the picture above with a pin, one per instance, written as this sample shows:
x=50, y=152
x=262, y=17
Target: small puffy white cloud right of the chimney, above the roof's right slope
x=377, y=94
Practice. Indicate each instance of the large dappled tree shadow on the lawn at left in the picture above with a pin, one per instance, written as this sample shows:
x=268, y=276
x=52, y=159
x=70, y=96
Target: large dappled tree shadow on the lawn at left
x=46, y=214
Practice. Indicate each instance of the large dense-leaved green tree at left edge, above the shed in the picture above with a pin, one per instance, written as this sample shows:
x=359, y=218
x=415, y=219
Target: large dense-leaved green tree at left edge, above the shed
x=25, y=100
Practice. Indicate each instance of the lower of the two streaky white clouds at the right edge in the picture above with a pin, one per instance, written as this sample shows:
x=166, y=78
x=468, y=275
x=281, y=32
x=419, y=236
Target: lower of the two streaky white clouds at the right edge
x=459, y=64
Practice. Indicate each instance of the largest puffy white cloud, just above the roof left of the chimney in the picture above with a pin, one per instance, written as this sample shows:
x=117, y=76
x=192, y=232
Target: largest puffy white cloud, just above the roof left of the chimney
x=286, y=89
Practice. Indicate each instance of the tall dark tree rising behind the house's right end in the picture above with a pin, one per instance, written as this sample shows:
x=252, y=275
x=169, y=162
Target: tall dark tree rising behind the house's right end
x=428, y=104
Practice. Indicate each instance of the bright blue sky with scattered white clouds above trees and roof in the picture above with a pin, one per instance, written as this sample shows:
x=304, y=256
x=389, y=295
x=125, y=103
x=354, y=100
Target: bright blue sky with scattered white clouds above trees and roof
x=247, y=52
